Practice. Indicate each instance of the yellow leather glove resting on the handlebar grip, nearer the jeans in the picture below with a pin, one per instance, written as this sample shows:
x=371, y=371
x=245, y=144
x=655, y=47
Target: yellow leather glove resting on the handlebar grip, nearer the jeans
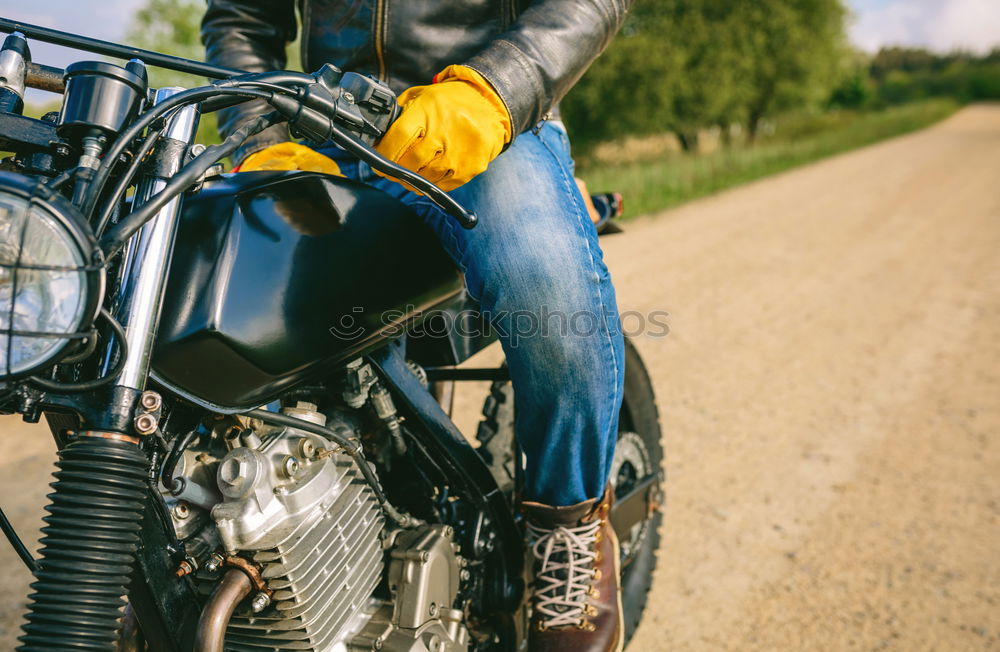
x=448, y=132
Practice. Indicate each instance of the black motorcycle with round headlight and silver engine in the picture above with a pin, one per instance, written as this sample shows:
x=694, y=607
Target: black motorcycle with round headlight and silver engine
x=249, y=379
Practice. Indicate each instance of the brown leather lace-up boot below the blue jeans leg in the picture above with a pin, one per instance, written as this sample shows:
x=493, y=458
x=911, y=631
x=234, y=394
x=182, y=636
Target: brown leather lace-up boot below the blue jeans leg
x=576, y=601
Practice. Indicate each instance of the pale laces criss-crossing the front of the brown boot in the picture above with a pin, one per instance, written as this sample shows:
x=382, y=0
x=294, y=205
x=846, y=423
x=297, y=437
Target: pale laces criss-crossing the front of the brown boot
x=565, y=571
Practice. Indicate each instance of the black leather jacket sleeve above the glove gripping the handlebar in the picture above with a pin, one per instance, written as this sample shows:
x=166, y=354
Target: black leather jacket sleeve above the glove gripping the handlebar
x=546, y=50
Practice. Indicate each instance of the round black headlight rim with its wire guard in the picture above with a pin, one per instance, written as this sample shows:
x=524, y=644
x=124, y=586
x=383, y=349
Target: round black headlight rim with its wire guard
x=68, y=218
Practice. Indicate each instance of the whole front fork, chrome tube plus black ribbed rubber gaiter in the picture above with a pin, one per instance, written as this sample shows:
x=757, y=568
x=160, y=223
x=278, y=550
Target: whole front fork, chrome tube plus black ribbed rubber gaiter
x=95, y=518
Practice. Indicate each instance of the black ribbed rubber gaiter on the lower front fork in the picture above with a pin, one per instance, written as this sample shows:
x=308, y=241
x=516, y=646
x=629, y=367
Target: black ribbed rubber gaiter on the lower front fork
x=89, y=546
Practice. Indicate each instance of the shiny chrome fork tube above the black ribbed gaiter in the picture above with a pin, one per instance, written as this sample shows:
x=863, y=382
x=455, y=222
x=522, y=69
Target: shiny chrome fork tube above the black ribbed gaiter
x=146, y=259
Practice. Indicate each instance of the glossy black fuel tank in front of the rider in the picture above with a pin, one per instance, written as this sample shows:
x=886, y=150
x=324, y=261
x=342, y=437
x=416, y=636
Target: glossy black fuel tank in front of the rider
x=277, y=276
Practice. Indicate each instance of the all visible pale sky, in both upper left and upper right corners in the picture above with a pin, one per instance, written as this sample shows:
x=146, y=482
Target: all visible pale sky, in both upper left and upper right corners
x=936, y=24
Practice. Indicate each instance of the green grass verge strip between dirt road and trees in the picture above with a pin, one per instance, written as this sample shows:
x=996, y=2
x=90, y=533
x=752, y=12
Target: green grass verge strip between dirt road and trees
x=652, y=185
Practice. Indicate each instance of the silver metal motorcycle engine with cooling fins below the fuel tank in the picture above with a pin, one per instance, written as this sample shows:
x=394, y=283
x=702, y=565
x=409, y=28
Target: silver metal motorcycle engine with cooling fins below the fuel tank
x=296, y=512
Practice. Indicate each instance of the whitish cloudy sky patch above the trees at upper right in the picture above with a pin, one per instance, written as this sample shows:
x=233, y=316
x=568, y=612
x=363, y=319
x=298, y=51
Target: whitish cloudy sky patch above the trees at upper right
x=936, y=24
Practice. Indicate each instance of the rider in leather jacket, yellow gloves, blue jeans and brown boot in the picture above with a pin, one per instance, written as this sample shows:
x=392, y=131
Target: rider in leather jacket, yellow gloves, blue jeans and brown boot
x=479, y=82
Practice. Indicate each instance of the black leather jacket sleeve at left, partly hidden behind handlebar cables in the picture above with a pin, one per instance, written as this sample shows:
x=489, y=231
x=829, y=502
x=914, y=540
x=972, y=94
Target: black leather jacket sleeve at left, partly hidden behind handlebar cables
x=249, y=35
